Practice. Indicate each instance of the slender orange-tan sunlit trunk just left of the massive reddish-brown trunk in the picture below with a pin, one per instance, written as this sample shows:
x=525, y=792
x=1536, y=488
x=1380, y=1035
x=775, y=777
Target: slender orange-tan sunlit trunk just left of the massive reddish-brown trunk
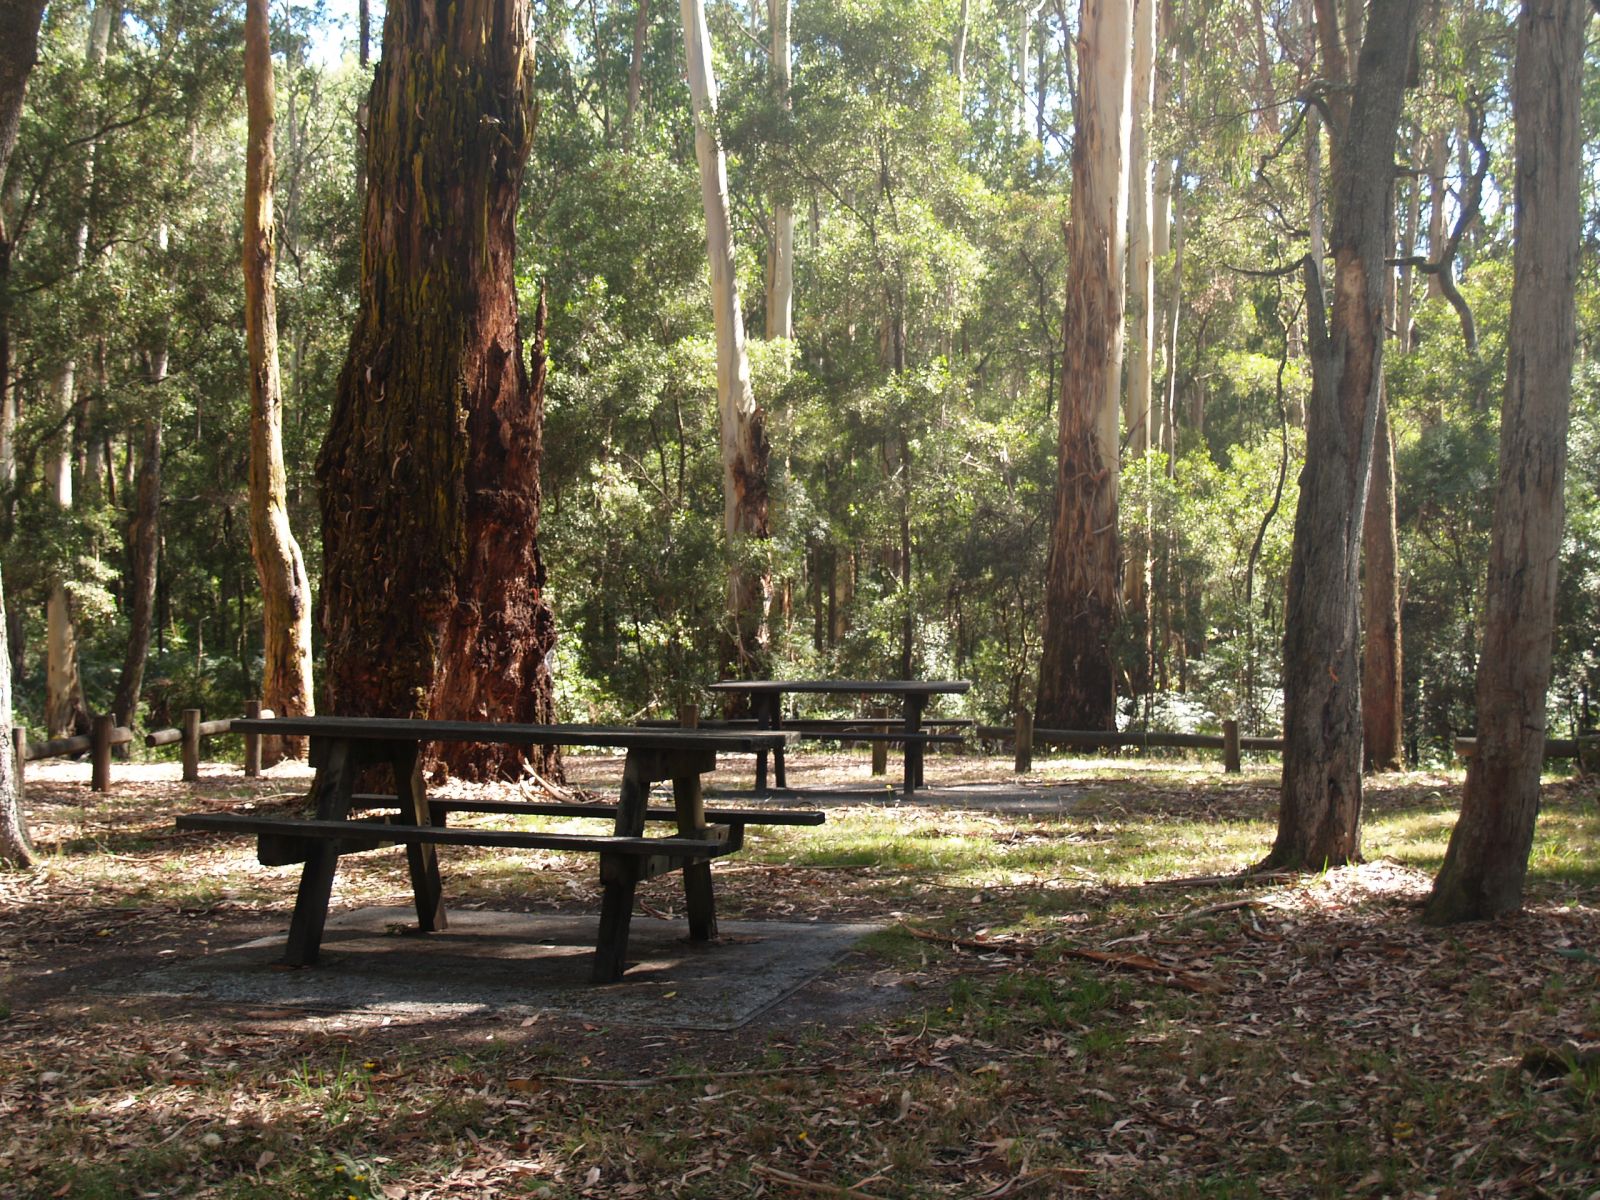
x=286, y=591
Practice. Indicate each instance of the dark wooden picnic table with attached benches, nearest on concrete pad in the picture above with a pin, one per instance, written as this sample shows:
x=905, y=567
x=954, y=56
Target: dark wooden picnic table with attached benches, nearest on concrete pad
x=343, y=748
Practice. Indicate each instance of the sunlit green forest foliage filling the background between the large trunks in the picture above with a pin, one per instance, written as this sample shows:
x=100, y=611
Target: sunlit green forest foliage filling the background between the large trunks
x=926, y=154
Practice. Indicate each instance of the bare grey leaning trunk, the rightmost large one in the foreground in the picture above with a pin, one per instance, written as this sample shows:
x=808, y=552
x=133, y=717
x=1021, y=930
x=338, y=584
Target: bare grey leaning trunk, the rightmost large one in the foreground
x=1487, y=862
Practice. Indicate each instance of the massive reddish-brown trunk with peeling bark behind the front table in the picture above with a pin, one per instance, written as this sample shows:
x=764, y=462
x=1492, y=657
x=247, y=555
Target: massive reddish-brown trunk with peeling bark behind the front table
x=433, y=585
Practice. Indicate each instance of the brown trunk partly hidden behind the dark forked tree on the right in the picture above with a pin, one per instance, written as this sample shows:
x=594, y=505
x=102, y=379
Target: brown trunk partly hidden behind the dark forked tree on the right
x=1383, y=694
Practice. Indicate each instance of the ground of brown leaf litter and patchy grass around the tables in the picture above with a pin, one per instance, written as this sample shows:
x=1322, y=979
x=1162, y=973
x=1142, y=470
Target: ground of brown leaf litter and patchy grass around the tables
x=1060, y=1020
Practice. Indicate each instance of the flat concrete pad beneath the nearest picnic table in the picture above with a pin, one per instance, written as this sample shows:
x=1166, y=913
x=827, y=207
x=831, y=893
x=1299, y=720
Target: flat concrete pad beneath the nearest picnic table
x=519, y=966
